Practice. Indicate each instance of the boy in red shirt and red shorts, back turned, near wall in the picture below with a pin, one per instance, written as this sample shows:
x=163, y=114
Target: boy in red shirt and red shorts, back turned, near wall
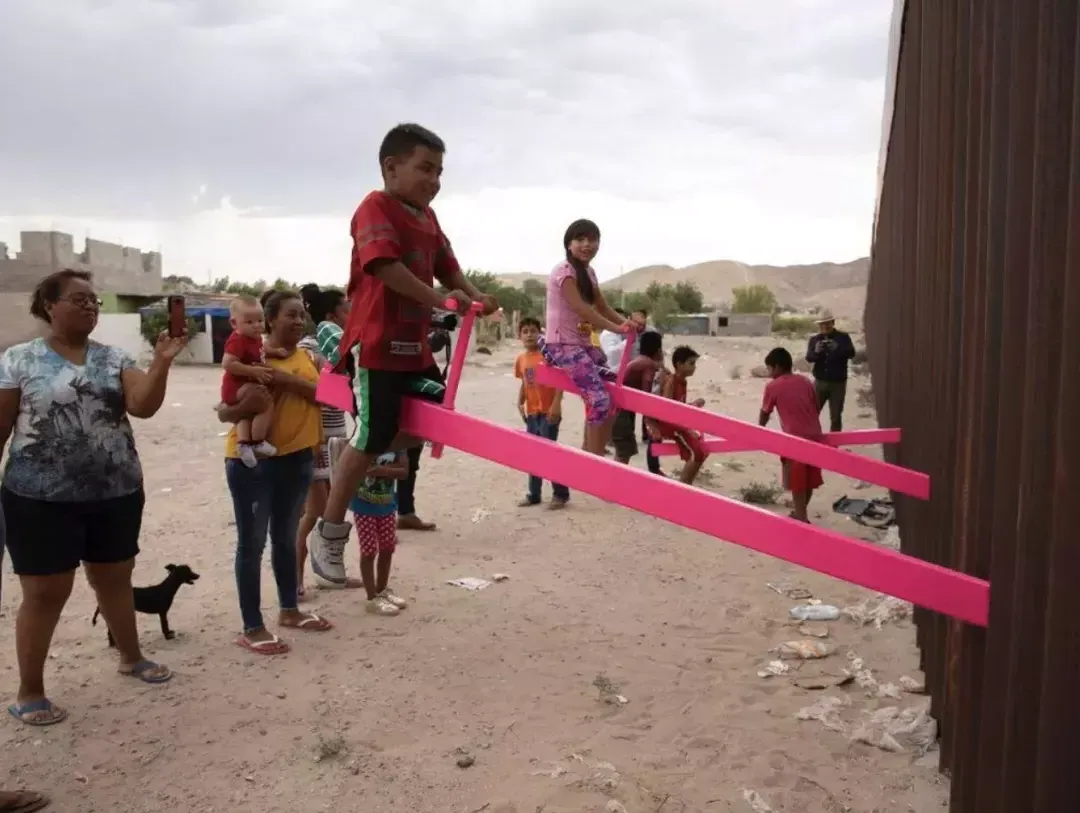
x=795, y=399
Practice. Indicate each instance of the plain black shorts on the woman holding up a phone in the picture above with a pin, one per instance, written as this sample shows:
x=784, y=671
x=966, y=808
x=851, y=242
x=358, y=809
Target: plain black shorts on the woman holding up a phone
x=50, y=538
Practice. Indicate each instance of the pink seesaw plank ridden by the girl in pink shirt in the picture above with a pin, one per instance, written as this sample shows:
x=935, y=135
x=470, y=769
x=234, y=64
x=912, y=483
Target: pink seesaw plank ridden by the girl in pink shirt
x=887, y=476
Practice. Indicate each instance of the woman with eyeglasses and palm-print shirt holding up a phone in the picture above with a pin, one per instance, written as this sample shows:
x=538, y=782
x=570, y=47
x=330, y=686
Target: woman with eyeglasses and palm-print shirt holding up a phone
x=73, y=487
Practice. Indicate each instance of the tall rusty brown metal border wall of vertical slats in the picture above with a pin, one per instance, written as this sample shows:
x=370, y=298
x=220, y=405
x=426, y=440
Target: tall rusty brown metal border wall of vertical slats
x=974, y=330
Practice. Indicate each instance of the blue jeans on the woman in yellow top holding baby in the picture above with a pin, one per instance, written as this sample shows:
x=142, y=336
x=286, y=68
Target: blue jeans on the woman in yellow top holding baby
x=269, y=497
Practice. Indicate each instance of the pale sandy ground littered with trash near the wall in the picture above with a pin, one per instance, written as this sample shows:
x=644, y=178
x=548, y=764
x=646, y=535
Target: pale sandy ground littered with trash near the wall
x=476, y=701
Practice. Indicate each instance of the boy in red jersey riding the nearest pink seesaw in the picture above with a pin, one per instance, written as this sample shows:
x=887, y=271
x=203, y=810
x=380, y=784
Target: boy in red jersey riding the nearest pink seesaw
x=398, y=252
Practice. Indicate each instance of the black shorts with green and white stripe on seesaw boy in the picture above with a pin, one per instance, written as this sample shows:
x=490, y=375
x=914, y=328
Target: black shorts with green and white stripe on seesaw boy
x=379, y=396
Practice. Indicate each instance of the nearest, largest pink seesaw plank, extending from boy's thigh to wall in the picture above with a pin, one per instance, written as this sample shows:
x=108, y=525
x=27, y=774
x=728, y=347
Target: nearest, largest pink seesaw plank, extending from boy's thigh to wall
x=923, y=584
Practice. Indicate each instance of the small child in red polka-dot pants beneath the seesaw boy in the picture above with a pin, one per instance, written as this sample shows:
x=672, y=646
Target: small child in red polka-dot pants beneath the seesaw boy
x=375, y=513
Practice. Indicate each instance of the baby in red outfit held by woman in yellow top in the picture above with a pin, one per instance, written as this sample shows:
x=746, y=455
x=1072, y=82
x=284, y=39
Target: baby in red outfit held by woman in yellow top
x=244, y=365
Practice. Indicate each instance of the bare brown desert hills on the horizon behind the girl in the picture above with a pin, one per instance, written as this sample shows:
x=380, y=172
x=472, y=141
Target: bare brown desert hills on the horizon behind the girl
x=842, y=288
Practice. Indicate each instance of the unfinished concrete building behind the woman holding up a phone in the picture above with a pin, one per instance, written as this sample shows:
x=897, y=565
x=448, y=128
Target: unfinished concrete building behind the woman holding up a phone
x=126, y=279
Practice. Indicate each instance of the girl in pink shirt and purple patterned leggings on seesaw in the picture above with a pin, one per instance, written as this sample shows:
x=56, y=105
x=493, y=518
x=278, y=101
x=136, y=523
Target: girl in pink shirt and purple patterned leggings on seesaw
x=575, y=307
